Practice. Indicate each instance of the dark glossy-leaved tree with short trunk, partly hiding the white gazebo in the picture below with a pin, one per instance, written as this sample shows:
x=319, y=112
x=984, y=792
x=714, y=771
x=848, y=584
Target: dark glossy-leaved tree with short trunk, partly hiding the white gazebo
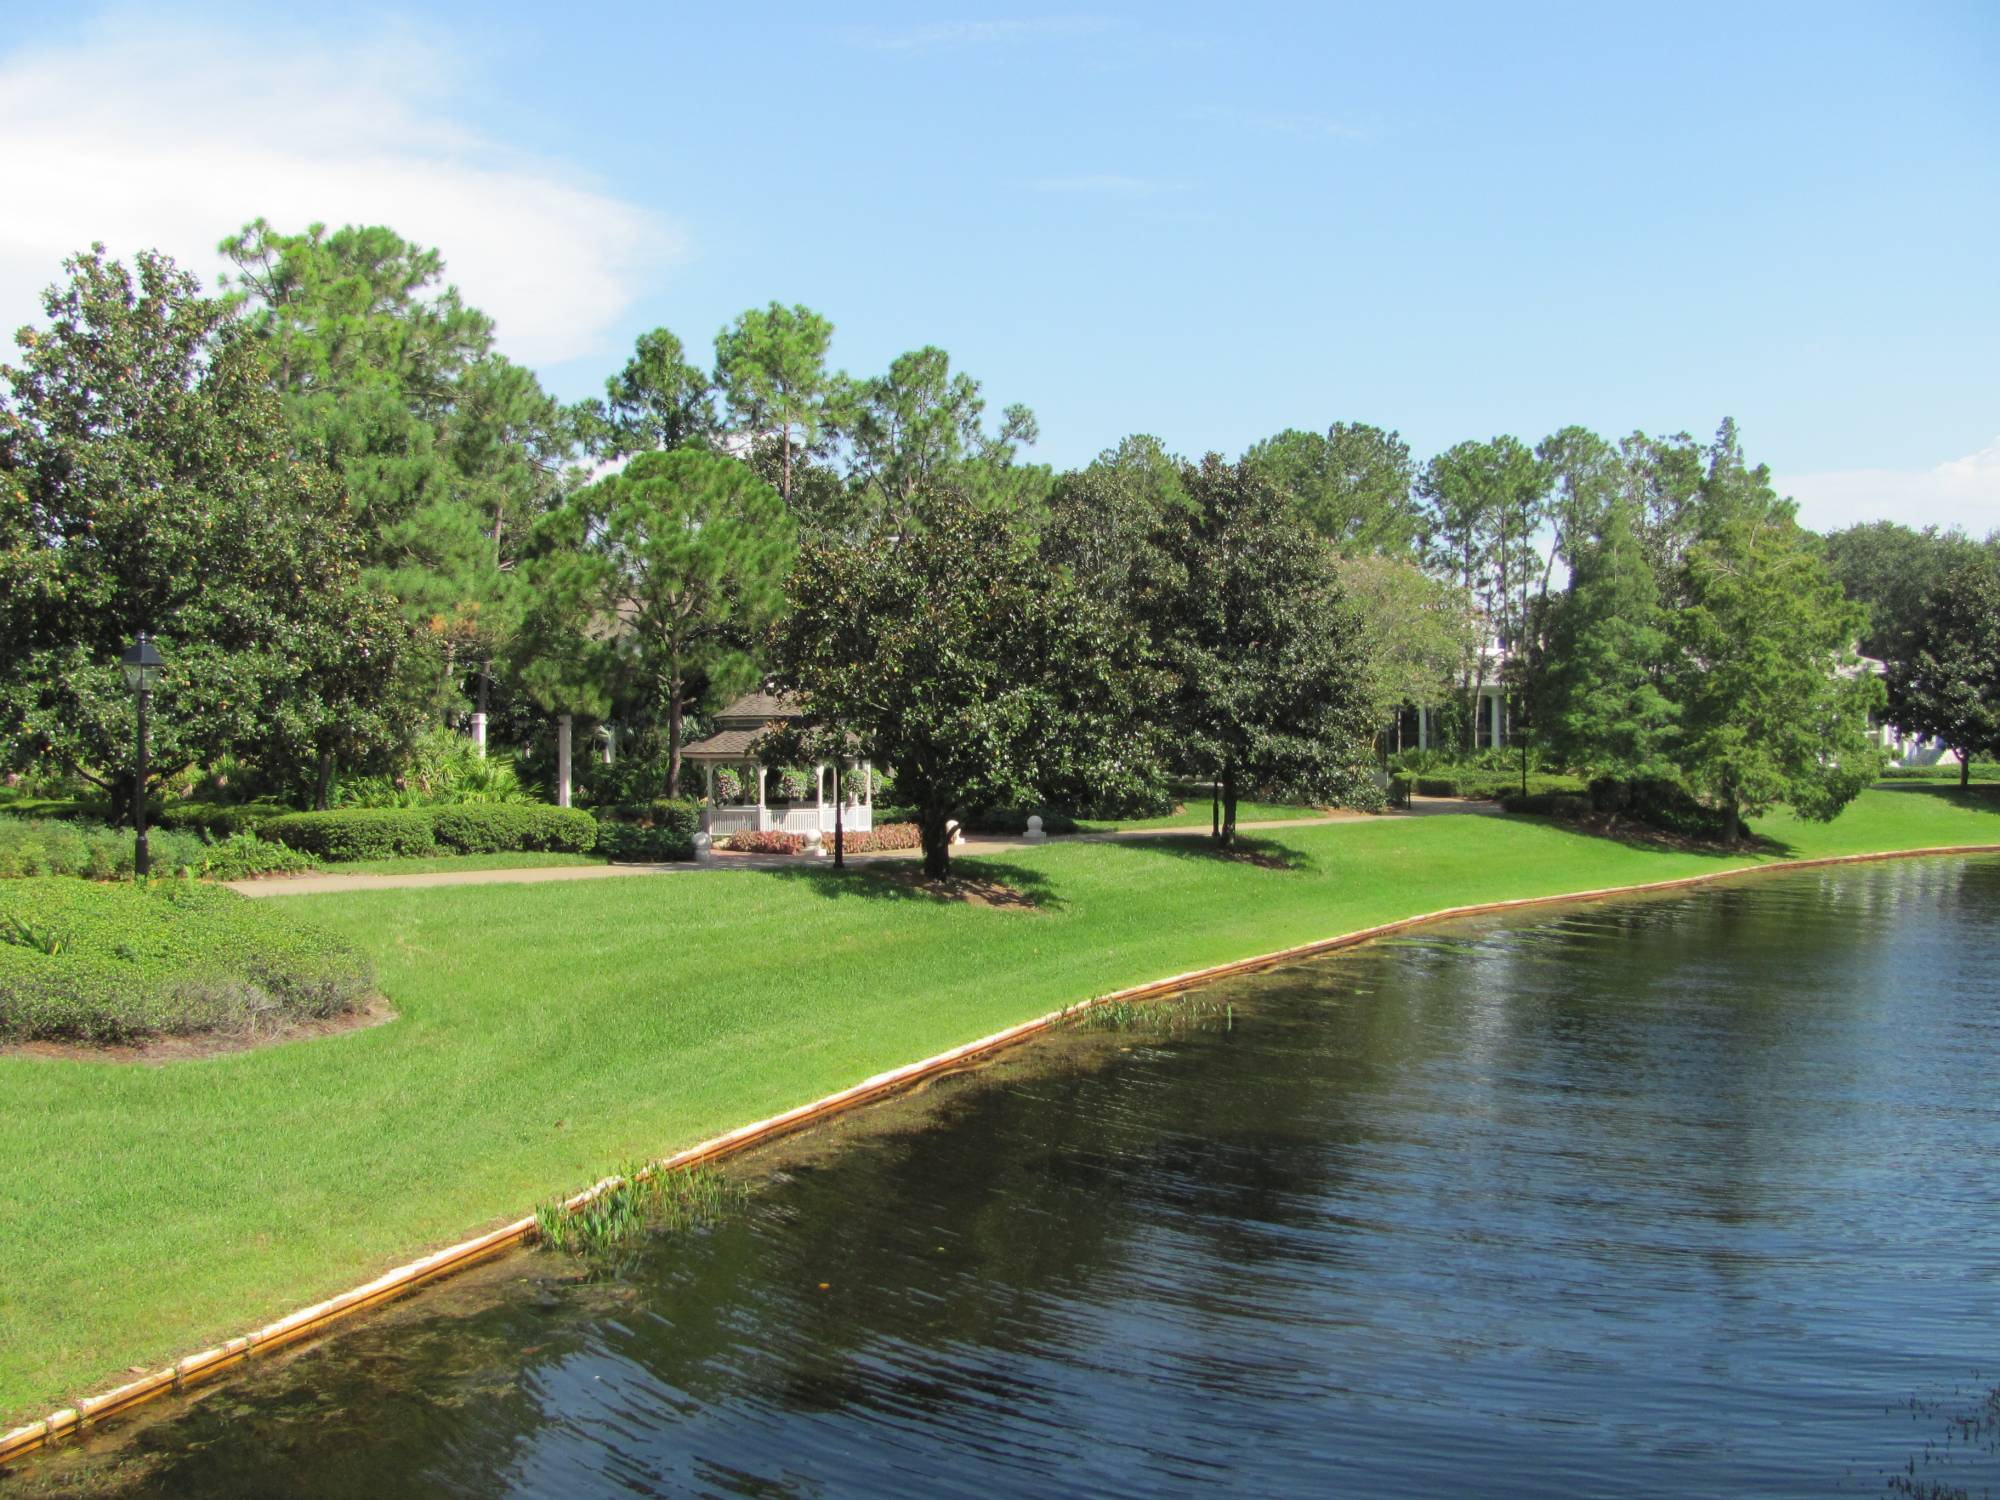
x=959, y=659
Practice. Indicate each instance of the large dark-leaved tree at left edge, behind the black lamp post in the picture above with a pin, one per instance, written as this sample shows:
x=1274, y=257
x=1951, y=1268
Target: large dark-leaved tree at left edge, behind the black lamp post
x=149, y=483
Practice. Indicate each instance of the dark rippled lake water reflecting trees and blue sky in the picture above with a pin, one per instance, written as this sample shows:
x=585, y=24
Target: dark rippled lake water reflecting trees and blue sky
x=1673, y=1197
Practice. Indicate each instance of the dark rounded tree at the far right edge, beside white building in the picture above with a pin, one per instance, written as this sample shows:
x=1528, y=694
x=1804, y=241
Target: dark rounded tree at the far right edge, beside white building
x=1949, y=687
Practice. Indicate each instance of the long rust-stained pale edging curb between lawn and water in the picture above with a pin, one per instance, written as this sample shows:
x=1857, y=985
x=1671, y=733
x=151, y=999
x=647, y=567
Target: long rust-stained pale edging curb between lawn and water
x=317, y=1319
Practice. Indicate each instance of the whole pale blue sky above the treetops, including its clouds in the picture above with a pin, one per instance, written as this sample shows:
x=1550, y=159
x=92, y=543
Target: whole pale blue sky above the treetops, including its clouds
x=1171, y=219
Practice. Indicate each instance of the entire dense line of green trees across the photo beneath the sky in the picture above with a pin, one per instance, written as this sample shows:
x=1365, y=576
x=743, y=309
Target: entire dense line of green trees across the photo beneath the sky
x=355, y=523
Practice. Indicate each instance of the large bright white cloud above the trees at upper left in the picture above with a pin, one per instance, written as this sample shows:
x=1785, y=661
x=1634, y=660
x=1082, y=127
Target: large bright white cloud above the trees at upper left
x=167, y=139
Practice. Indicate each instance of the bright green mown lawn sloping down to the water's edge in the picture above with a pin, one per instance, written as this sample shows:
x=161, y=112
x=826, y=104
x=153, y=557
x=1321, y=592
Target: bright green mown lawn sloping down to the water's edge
x=551, y=1031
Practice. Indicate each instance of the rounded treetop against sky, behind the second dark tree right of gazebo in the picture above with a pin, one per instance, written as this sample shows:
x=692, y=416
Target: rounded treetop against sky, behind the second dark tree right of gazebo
x=1353, y=487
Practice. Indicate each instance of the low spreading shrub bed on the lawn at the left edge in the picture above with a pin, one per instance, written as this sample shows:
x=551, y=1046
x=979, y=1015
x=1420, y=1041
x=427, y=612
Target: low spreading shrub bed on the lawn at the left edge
x=117, y=963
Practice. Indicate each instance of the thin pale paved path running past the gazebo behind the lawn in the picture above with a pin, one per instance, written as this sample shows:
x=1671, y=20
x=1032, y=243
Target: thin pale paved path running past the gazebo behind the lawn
x=319, y=885
